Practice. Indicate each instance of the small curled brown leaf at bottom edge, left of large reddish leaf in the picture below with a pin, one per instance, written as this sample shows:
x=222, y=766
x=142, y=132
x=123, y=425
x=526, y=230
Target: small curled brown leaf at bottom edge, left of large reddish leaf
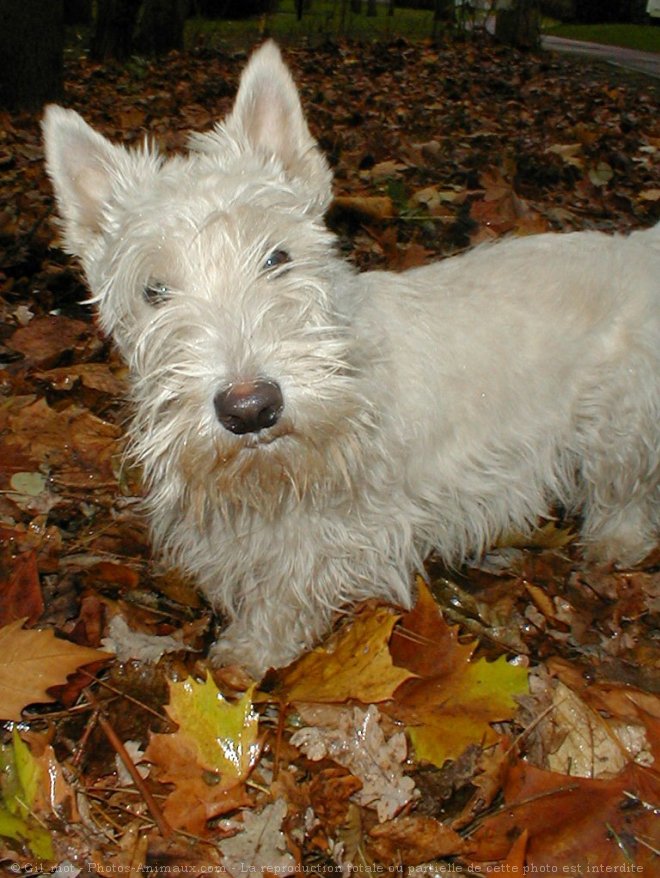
x=413, y=839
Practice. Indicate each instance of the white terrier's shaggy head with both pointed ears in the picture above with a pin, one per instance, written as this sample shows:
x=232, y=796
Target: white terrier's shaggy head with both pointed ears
x=219, y=283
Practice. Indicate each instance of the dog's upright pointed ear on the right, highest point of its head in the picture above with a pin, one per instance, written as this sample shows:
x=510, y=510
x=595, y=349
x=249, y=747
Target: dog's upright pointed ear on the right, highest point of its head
x=269, y=116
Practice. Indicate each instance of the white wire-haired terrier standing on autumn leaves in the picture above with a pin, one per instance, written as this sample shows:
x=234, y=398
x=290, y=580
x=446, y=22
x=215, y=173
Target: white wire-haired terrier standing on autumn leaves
x=307, y=433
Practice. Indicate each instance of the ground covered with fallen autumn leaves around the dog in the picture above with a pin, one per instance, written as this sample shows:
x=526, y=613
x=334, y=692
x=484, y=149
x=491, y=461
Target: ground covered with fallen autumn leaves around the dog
x=519, y=731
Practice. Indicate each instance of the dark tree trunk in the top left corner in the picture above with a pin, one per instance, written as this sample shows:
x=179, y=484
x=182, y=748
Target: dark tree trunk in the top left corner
x=31, y=52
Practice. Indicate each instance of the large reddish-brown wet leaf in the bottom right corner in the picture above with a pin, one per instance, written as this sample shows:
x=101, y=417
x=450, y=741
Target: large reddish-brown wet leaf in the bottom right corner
x=576, y=822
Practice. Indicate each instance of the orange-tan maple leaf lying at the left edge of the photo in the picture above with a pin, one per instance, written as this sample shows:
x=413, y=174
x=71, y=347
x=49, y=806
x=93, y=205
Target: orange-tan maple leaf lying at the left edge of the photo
x=32, y=661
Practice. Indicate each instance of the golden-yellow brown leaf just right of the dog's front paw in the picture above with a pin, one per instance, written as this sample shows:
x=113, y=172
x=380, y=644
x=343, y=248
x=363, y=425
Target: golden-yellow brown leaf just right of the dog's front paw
x=355, y=663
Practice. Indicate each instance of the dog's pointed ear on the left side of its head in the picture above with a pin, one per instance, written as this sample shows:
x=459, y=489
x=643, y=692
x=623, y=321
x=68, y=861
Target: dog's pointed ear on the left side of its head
x=80, y=164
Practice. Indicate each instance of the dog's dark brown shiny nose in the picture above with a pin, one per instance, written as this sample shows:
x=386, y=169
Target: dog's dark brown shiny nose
x=249, y=406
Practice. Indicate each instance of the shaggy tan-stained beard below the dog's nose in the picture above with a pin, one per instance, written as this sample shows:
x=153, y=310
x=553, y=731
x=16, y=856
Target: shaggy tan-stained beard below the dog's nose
x=188, y=458
